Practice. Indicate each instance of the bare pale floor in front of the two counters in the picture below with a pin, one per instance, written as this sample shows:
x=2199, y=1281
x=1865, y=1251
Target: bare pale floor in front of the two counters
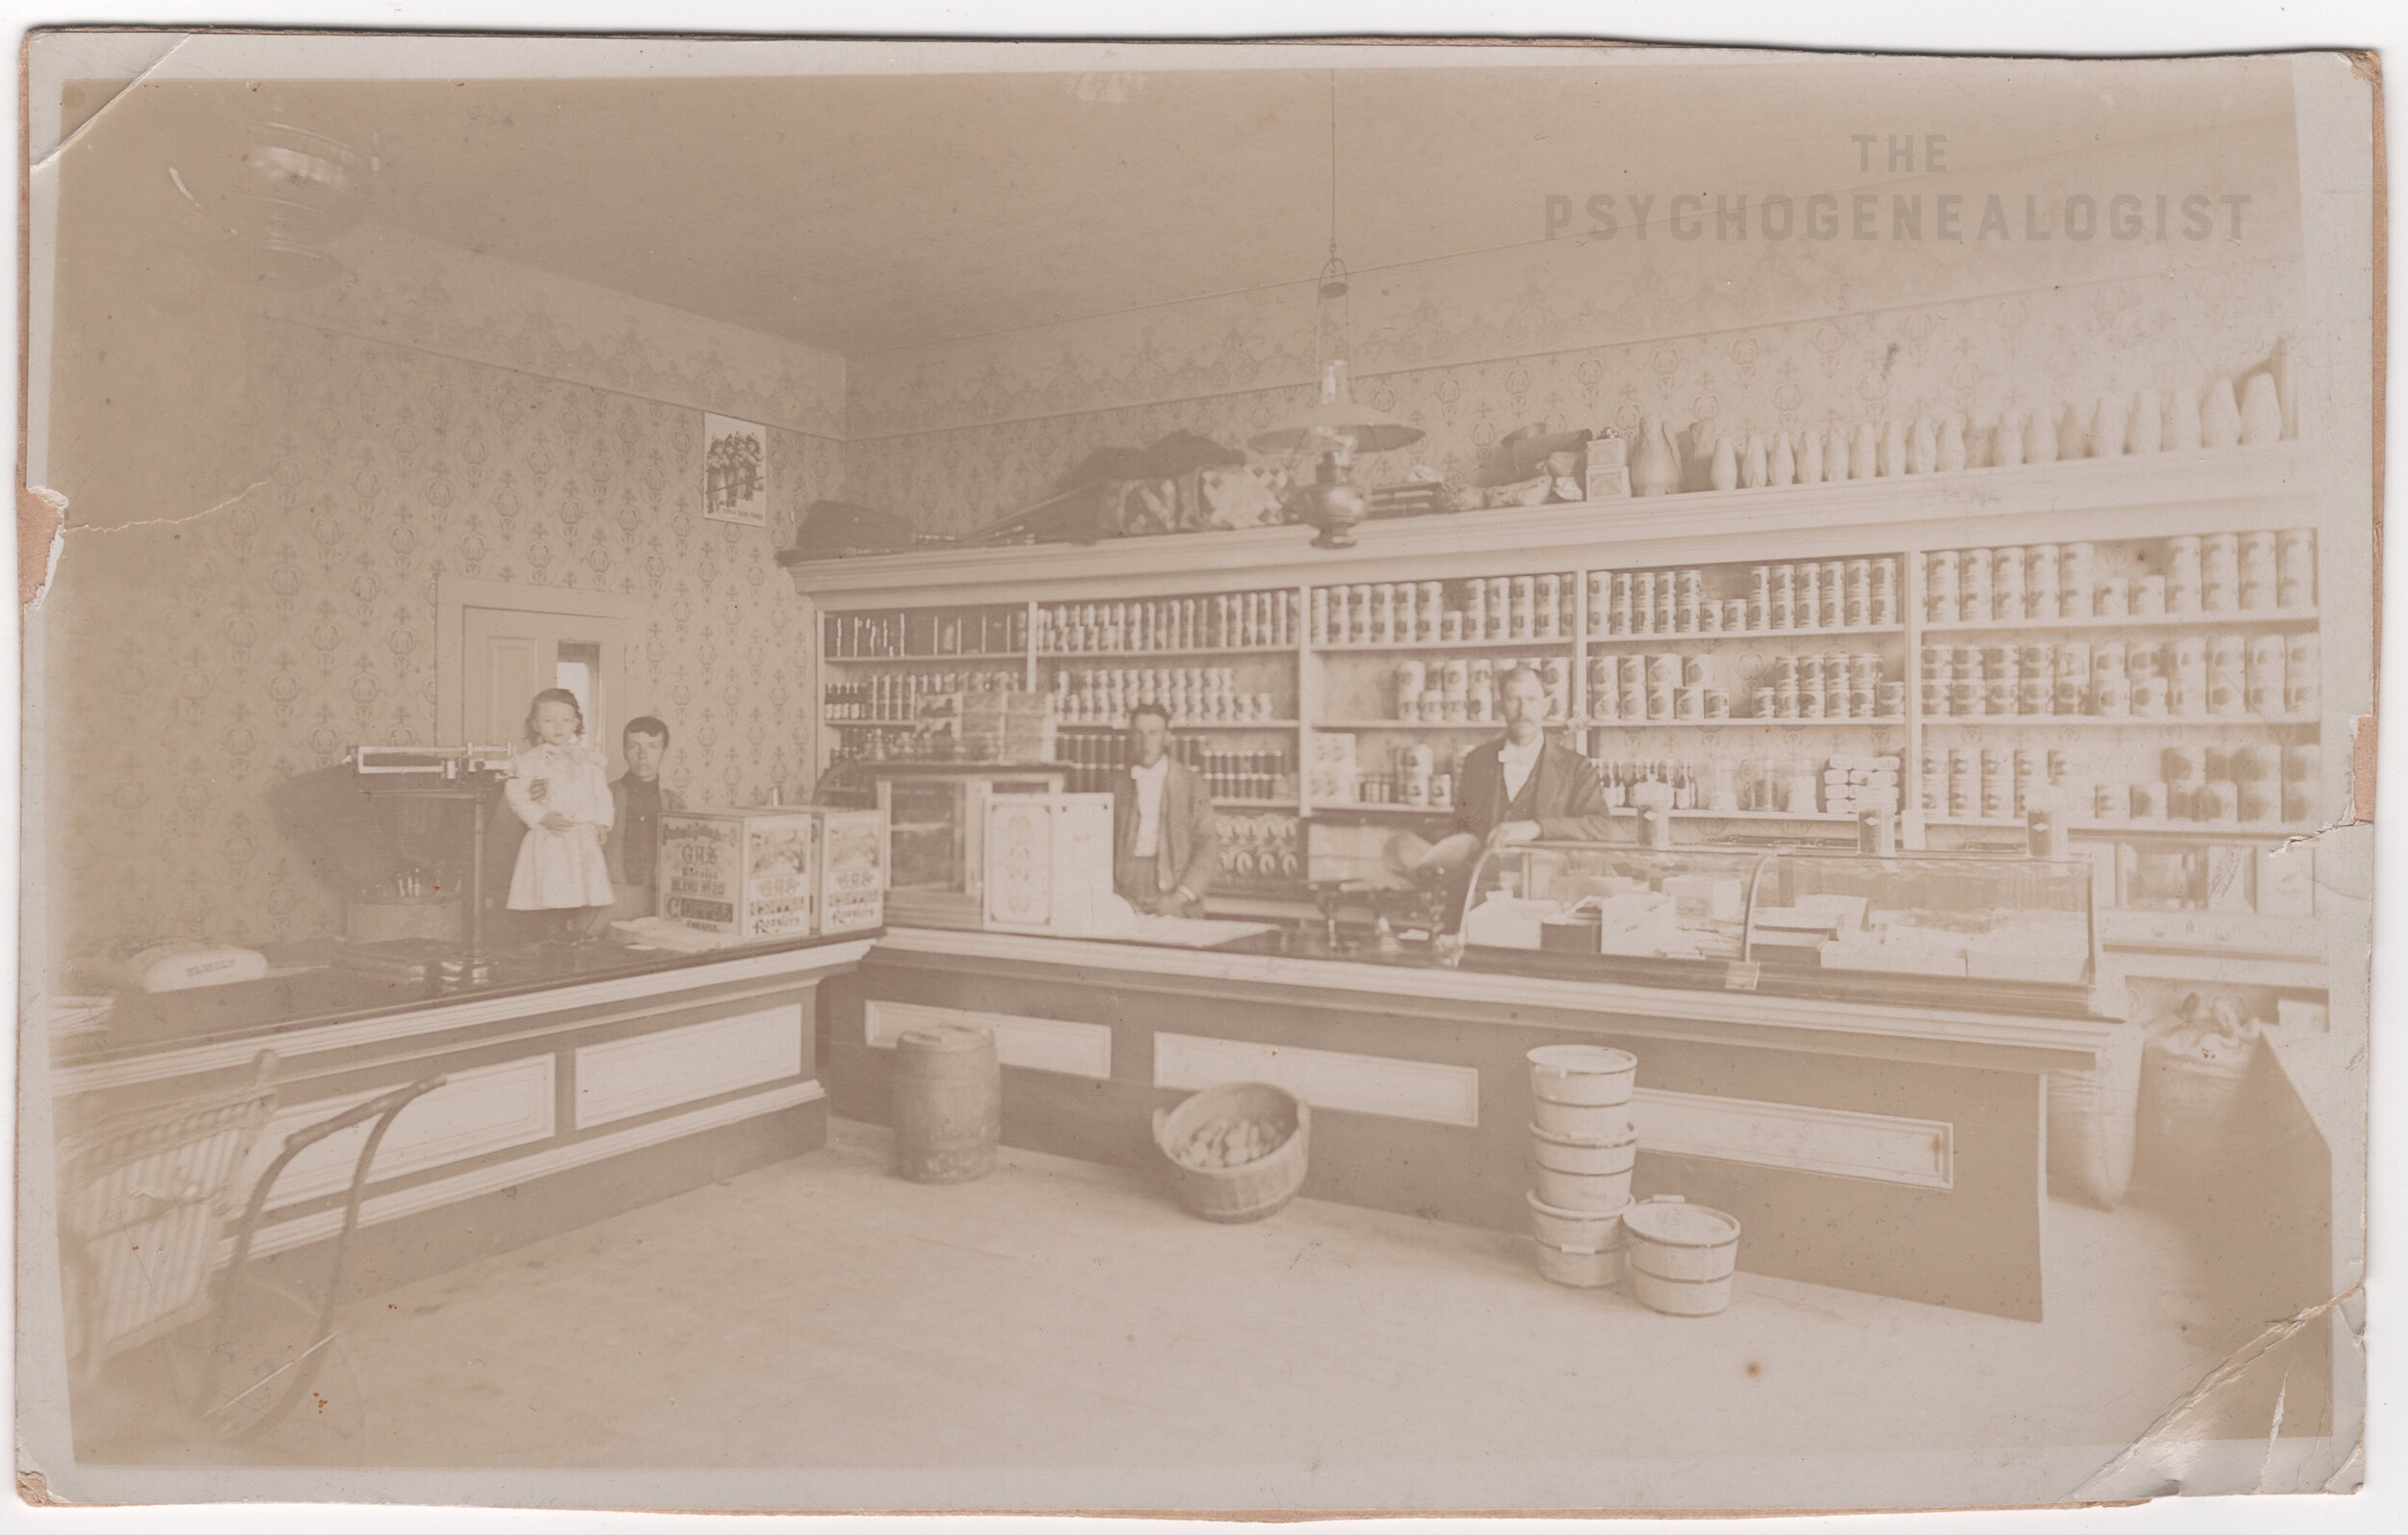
x=1063, y=1337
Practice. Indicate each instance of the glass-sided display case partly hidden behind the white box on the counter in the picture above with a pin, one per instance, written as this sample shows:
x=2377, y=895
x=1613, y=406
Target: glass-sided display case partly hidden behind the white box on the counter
x=936, y=829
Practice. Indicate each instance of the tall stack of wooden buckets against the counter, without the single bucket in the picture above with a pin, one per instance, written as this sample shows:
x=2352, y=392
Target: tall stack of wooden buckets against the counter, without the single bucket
x=1583, y=1151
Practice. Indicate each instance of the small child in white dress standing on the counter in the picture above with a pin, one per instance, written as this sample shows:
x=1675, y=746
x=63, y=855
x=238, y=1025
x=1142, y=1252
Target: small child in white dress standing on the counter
x=560, y=788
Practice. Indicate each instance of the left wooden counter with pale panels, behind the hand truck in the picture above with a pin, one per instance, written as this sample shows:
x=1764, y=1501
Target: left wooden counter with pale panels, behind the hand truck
x=567, y=1101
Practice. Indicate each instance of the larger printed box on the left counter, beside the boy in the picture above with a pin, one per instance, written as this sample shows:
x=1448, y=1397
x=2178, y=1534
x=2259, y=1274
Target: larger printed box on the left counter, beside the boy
x=752, y=875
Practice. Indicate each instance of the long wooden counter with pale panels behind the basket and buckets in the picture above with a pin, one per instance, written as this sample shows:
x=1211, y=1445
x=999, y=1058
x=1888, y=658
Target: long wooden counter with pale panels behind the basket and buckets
x=1867, y=1146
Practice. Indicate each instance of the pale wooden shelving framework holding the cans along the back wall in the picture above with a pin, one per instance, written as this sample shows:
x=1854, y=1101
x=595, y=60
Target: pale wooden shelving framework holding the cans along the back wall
x=1340, y=687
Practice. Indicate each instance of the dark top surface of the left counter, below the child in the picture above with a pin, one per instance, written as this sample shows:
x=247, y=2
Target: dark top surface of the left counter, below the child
x=324, y=997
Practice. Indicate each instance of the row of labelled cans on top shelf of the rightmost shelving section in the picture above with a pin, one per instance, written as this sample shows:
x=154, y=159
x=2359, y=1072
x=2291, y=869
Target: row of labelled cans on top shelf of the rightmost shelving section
x=2178, y=579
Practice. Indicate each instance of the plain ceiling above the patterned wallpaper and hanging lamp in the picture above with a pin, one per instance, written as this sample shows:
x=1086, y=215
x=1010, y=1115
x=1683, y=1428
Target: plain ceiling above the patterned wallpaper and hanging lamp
x=866, y=213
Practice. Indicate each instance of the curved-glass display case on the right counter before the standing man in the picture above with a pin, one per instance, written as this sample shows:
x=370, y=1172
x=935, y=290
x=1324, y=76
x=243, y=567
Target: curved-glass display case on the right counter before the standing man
x=2000, y=932
